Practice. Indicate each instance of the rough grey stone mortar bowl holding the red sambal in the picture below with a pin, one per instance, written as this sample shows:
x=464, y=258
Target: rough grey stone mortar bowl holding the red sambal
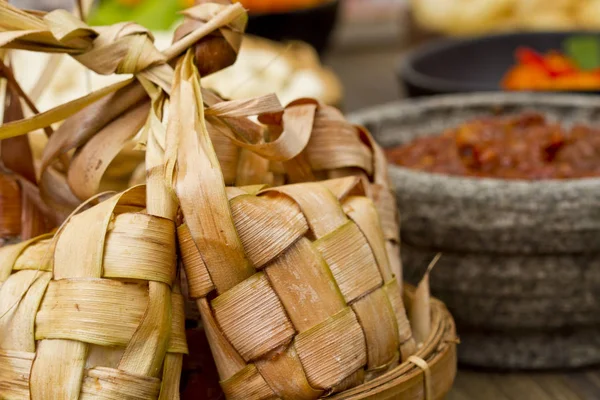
x=520, y=269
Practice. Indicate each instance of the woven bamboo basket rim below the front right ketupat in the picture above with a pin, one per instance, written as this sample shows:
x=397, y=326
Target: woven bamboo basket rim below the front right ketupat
x=438, y=349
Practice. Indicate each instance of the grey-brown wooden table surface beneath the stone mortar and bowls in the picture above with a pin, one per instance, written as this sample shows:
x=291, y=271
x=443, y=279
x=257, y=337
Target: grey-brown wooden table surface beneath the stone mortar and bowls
x=369, y=78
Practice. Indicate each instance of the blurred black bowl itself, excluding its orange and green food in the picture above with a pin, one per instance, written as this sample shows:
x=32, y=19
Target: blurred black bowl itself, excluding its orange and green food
x=477, y=64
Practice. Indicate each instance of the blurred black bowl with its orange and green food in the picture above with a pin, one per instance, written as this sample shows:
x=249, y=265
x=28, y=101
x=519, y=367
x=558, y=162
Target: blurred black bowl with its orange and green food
x=549, y=61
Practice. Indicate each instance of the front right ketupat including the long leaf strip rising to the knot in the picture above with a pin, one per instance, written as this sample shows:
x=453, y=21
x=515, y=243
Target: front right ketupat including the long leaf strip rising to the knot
x=306, y=301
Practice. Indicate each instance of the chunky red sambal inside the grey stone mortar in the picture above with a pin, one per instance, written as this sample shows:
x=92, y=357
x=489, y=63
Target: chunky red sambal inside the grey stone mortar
x=523, y=147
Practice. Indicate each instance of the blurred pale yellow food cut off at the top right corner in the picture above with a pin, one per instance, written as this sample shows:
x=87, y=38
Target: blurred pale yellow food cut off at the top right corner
x=469, y=17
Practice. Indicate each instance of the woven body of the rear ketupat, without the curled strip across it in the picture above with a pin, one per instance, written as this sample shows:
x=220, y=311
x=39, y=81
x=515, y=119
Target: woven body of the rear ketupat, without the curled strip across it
x=335, y=148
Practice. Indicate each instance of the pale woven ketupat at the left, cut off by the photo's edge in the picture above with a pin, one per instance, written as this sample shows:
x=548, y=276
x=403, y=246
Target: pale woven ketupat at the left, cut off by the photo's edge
x=93, y=313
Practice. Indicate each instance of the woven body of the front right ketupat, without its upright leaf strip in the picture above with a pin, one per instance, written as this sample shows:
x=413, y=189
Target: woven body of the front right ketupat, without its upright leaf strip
x=320, y=311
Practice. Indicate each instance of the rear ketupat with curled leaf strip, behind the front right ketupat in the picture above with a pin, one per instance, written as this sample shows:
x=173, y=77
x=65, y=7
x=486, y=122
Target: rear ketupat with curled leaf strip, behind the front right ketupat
x=305, y=142
